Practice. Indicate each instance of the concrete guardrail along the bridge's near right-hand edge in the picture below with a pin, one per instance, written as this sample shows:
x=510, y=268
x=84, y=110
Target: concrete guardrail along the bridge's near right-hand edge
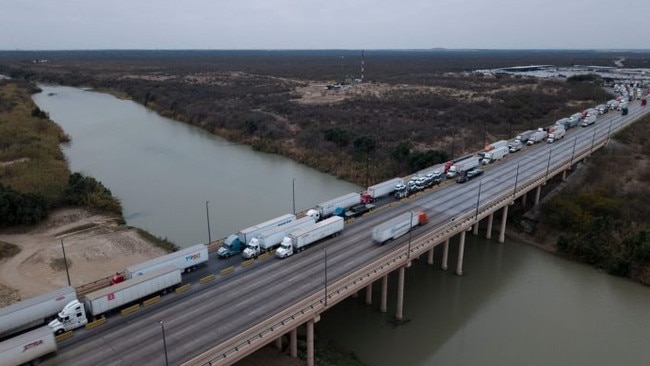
x=311, y=306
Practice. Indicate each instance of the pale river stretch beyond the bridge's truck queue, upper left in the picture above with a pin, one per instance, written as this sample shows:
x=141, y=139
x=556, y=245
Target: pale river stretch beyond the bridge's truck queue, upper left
x=164, y=172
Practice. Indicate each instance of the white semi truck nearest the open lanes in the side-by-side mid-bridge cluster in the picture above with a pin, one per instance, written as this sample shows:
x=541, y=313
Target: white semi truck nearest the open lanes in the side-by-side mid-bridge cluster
x=299, y=240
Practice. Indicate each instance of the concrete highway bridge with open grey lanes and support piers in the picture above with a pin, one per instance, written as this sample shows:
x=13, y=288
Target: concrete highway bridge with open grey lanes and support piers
x=222, y=321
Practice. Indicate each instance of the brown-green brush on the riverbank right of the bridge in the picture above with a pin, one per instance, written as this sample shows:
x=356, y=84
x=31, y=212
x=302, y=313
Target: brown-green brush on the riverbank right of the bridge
x=606, y=222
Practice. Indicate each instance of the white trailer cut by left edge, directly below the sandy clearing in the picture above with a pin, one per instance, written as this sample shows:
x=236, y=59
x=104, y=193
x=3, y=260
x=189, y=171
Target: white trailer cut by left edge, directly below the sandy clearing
x=34, y=311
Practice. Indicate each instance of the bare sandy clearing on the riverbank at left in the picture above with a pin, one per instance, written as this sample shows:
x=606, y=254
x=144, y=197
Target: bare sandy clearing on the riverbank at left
x=95, y=245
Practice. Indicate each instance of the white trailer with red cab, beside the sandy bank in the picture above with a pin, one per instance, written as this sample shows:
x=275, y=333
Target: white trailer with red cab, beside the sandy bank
x=186, y=260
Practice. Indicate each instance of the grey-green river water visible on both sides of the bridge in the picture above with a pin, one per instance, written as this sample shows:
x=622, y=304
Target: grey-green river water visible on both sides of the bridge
x=514, y=305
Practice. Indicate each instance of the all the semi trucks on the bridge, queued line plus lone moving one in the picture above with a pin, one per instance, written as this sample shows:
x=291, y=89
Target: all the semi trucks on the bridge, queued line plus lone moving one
x=28, y=327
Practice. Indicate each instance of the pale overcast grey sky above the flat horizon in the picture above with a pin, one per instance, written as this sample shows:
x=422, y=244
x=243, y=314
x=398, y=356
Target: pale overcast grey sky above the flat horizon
x=323, y=24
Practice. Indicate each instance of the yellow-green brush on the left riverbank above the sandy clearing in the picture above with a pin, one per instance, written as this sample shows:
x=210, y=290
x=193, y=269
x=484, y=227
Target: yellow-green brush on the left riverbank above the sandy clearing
x=34, y=174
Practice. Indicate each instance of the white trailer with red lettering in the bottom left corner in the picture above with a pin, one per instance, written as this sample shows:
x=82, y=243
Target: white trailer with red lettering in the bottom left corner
x=27, y=347
